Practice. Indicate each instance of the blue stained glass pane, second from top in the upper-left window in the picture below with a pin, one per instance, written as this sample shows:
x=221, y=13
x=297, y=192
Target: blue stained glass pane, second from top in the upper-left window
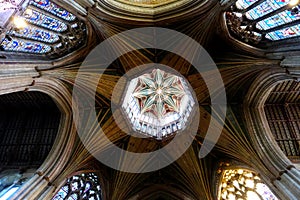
x=45, y=21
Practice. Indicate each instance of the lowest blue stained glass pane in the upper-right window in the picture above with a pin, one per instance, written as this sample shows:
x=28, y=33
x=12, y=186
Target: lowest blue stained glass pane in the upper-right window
x=284, y=33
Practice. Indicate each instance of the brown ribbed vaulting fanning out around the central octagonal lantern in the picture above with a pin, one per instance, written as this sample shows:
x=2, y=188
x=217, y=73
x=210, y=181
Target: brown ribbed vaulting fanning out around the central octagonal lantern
x=188, y=176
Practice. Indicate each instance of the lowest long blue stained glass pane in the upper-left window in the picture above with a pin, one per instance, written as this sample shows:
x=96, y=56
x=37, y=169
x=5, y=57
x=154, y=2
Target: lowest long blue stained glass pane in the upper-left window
x=24, y=46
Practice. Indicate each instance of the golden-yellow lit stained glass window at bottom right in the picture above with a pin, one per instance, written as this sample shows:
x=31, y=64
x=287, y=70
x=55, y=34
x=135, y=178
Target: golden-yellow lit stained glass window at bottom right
x=242, y=184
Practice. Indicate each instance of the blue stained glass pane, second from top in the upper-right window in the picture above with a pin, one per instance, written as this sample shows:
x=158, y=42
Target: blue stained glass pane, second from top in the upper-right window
x=265, y=8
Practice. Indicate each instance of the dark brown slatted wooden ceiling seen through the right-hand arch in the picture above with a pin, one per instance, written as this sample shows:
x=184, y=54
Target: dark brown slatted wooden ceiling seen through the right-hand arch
x=283, y=120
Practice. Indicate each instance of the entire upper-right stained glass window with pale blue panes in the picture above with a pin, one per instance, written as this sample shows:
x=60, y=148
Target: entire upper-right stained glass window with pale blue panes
x=259, y=22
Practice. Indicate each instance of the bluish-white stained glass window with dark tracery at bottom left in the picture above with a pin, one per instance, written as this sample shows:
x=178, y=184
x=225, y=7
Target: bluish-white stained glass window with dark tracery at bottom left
x=84, y=186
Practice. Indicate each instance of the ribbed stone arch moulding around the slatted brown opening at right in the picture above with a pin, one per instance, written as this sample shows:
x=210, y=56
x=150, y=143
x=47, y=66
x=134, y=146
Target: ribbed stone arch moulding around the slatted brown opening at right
x=287, y=177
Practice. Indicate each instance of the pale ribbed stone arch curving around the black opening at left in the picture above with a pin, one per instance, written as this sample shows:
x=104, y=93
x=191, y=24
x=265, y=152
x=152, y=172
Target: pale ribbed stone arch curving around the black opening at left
x=59, y=155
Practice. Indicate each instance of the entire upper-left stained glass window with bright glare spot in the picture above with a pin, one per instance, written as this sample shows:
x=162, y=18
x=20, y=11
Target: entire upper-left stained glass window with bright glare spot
x=41, y=28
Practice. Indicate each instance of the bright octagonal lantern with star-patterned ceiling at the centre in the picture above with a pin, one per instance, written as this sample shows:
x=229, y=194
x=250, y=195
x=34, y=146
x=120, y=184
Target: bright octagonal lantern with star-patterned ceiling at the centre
x=158, y=103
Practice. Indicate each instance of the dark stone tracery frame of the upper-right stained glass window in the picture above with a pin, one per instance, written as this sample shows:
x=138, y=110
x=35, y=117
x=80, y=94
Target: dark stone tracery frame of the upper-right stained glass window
x=246, y=30
